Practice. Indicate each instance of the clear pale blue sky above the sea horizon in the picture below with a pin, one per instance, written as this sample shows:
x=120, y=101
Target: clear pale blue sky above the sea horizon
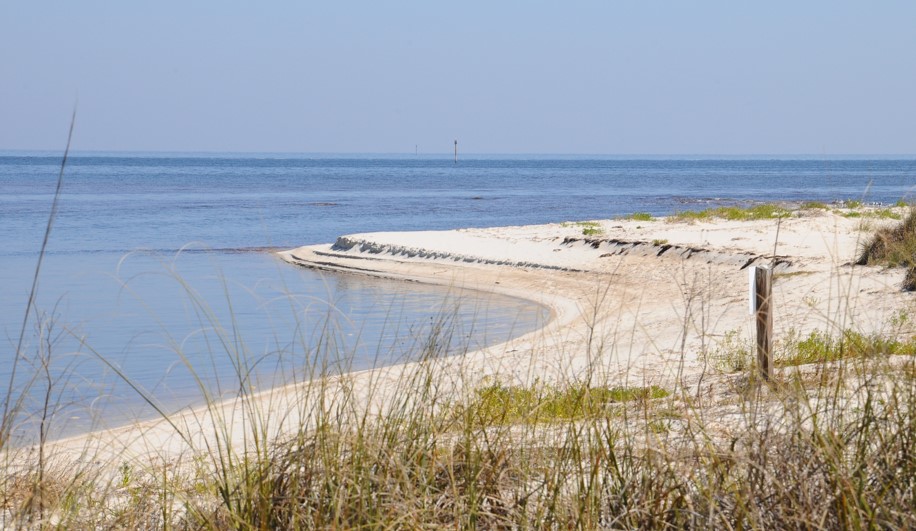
x=608, y=77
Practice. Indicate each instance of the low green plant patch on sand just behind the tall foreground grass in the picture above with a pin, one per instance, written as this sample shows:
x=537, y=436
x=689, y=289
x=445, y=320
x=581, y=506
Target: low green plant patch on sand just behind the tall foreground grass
x=498, y=404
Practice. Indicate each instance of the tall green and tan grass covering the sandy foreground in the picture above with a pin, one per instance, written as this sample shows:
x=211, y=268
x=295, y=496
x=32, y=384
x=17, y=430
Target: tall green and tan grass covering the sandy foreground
x=565, y=455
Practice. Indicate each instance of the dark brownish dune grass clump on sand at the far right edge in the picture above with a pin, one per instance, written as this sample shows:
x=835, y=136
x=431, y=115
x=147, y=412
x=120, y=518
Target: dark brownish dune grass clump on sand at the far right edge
x=894, y=247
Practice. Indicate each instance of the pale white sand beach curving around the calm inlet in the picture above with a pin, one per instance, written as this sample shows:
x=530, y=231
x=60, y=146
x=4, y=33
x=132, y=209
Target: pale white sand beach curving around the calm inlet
x=632, y=302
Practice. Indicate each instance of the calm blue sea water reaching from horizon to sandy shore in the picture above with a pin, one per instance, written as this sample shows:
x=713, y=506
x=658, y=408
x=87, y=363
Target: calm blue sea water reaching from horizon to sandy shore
x=156, y=263
